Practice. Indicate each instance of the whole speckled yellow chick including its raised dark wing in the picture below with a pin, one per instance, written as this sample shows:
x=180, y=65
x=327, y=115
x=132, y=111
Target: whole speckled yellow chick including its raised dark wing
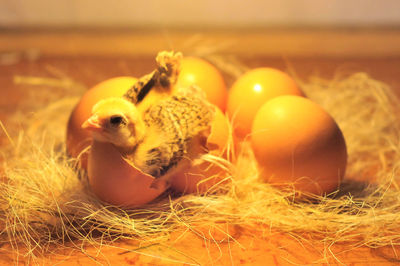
x=159, y=133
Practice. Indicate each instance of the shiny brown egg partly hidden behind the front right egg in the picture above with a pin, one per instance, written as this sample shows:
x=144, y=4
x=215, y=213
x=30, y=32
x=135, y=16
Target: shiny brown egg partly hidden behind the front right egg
x=252, y=90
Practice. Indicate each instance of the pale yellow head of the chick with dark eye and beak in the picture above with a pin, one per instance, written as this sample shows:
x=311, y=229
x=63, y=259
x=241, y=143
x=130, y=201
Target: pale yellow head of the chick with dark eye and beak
x=117, y=121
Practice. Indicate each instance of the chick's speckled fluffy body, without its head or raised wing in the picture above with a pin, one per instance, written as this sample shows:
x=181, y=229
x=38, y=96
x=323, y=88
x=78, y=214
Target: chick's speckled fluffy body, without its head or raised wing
x=173, y=126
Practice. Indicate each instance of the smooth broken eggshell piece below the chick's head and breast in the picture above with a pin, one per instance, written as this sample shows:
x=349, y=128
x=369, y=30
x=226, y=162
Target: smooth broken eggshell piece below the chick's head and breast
x=117, y=182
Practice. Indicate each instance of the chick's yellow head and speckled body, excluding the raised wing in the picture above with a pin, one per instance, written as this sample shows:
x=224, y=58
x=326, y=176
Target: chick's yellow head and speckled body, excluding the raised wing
x=158, y=140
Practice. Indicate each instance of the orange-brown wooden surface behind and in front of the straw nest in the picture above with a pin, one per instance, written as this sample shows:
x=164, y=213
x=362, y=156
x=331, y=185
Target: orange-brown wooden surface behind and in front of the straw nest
x=92, y=57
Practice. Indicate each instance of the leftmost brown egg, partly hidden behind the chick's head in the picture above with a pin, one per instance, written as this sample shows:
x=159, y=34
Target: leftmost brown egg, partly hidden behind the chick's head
x=79, y=139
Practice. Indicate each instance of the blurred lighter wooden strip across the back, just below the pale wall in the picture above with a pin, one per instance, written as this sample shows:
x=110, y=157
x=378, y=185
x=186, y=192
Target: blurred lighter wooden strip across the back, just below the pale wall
x=253, y=42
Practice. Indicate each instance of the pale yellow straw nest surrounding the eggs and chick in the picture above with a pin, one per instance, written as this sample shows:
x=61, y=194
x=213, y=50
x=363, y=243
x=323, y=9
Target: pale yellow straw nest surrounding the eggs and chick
x=44, y=205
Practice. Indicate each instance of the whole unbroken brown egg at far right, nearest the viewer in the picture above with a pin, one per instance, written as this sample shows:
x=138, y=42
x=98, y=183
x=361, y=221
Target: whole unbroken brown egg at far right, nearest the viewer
x=298, y=145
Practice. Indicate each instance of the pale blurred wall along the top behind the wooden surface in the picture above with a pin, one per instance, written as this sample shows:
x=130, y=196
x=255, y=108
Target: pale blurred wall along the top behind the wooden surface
x=204, y=13
